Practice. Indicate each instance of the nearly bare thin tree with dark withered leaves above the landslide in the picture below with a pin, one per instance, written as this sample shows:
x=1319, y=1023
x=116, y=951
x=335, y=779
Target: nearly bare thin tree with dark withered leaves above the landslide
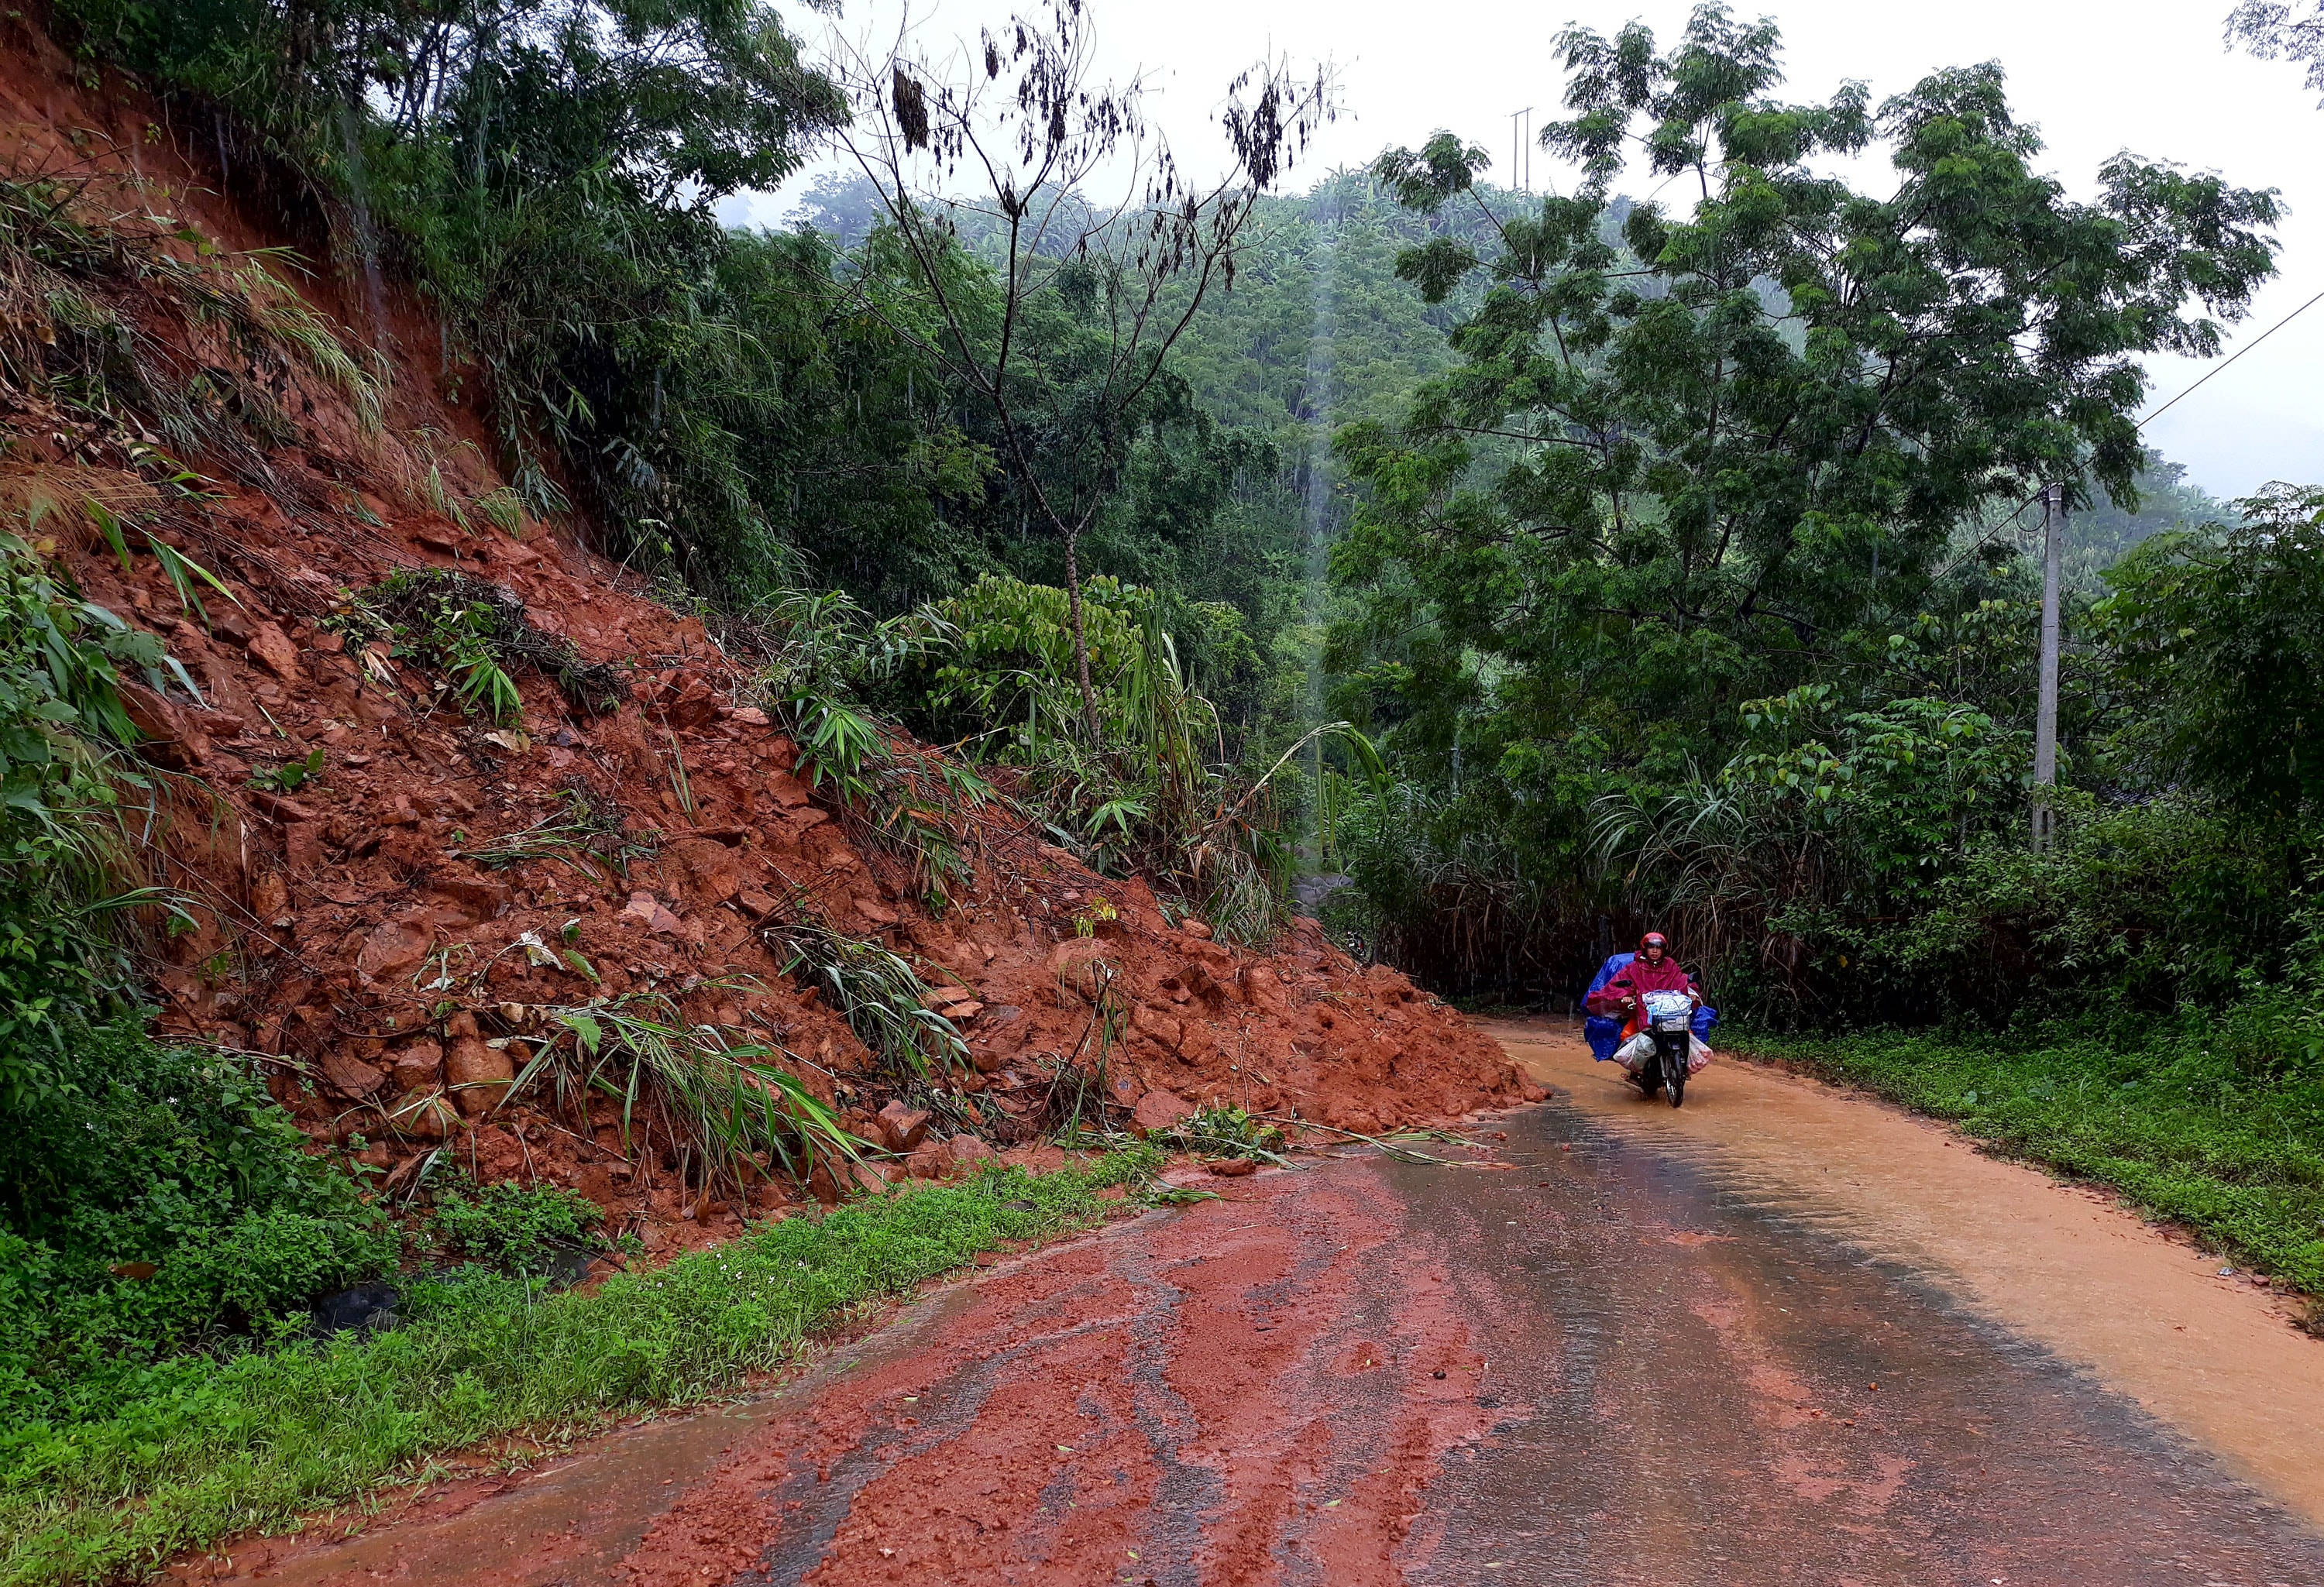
x=1031, y=124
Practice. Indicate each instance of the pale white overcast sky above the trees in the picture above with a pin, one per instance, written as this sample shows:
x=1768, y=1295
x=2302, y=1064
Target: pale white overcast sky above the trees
x=2095, y=78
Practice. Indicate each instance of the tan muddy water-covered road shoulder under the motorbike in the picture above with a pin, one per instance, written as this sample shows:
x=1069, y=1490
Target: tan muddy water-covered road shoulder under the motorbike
x=2060, y=1265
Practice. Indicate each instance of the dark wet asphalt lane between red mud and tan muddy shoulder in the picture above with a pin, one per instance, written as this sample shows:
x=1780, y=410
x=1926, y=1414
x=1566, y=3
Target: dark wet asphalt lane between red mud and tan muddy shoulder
x=1688, y=1395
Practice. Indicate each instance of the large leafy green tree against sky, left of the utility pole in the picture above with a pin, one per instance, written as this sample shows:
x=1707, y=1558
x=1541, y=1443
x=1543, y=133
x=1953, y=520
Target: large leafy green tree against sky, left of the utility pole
x=1702, y=457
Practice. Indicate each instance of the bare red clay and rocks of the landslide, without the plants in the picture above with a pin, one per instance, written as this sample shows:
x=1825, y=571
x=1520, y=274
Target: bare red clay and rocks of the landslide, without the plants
x=329, y=919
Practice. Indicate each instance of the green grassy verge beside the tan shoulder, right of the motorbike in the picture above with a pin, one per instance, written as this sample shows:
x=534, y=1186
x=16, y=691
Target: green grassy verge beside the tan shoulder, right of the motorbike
x=2169, y=1123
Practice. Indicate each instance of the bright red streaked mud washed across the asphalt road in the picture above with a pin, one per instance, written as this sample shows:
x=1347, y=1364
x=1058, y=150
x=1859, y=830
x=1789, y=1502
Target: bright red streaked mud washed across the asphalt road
x=1214, y=1398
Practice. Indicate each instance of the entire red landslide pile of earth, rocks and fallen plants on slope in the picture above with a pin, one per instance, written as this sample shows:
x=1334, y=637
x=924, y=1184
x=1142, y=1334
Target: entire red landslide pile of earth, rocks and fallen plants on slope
x=508, y=863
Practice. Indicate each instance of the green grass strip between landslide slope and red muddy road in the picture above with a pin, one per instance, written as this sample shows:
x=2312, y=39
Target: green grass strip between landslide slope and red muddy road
x=264, y=1437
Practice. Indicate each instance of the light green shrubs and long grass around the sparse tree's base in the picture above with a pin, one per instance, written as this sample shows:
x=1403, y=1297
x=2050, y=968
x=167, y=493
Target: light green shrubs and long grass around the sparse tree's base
x=994, y=675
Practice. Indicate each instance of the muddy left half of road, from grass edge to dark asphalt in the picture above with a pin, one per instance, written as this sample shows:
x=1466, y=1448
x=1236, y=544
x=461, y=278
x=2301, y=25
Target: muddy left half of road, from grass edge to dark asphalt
x=1256, y=1391
